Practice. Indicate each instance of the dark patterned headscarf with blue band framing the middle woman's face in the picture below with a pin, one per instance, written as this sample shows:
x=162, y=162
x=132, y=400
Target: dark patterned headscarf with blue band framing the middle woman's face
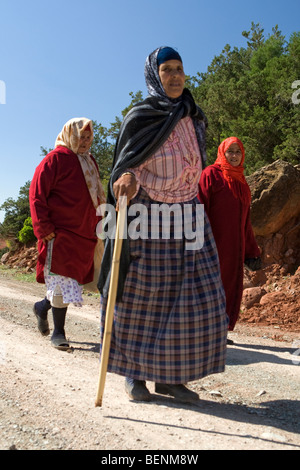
x=156, y=58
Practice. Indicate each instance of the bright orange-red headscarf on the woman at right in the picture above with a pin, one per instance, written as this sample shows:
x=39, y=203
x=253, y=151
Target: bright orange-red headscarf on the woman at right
x=234, y=175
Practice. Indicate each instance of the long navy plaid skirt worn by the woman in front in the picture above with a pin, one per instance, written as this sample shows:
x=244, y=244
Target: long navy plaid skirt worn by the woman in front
x=171, y=325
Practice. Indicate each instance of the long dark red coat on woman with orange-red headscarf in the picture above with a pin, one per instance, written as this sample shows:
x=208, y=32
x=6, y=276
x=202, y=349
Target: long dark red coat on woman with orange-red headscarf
x=231, y=226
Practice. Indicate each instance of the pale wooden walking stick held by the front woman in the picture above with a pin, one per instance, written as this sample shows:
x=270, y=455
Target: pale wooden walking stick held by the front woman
x=112, y=293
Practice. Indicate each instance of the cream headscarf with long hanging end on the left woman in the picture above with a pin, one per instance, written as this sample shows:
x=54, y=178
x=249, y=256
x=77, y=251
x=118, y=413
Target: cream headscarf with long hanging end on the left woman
x=70, y=137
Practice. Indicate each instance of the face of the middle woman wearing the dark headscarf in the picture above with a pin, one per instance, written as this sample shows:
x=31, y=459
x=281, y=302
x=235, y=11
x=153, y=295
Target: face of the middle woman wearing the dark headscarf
x=172, y=78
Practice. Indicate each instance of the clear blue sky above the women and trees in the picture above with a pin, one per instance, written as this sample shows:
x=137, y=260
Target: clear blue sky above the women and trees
x=71, y=58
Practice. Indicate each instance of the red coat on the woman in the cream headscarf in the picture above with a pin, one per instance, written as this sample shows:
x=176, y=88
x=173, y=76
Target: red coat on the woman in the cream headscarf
x=60, y=202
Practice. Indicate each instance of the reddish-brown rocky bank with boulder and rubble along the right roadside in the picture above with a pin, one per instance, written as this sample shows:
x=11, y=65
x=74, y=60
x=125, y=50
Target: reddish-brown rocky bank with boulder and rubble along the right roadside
x=272, y=295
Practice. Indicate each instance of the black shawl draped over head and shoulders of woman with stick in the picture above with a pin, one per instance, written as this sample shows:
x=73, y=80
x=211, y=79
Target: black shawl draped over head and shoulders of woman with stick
x=144, y=130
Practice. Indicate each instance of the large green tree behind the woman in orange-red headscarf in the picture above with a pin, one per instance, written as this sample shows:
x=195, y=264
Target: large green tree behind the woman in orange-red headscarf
x=247, y=92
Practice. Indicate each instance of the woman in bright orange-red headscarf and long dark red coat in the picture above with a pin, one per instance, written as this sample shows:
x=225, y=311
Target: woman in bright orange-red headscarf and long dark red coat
x=226, y=196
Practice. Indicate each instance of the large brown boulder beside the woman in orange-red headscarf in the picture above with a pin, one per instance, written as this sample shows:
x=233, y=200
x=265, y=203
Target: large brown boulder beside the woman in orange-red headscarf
x=275, y=193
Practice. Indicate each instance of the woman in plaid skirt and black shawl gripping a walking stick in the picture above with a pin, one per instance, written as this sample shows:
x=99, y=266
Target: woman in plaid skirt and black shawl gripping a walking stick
x=170, y=324
